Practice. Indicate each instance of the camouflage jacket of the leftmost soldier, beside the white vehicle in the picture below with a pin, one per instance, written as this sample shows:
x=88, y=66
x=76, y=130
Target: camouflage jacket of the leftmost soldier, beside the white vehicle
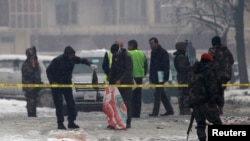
x=30, y=75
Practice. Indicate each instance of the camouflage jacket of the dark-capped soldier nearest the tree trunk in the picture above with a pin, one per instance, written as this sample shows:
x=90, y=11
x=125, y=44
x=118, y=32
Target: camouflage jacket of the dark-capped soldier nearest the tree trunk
x=223, y=61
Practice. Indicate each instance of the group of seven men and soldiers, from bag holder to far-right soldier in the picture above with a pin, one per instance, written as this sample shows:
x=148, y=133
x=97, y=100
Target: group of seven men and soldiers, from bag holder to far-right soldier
x=215, y=66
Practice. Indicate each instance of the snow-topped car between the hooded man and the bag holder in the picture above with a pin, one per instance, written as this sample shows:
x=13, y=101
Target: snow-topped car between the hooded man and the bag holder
x=88, y=98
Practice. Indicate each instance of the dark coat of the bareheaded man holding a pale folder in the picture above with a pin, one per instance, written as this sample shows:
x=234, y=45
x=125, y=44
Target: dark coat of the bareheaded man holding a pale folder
x=159, y=61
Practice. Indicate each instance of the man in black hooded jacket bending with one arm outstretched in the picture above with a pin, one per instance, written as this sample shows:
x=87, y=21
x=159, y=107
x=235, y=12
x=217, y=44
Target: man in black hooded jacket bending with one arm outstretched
x=60, y=72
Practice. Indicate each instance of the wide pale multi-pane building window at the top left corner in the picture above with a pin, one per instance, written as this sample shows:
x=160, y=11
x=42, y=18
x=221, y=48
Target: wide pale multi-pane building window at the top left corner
x=25, y=13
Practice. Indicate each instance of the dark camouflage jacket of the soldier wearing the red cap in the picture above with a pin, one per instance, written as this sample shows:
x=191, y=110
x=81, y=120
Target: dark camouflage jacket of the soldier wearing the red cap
x=204, y=86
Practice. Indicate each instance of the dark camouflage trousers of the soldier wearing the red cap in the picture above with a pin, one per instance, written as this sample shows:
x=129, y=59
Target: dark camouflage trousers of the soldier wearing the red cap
x=203, y=112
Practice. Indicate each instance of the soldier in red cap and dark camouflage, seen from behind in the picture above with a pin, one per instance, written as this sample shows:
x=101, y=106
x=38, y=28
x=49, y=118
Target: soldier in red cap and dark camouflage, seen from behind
x=203, y=94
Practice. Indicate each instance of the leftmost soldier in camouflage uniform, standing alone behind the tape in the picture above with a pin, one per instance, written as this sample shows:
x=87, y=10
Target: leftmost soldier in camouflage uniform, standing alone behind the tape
x=31, y=74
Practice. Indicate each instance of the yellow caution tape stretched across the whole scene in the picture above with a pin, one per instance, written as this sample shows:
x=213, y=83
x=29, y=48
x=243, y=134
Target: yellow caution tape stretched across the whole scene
x=10, y=85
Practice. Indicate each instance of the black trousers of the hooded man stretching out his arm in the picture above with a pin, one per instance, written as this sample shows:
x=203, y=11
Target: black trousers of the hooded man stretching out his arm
x=58, y=94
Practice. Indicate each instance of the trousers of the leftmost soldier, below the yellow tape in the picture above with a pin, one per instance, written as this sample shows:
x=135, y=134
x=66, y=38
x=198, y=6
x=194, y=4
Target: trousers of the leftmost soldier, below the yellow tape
x=31, y=99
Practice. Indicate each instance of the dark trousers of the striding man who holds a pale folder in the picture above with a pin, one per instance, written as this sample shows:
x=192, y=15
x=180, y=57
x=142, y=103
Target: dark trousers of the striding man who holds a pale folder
x=160, y=96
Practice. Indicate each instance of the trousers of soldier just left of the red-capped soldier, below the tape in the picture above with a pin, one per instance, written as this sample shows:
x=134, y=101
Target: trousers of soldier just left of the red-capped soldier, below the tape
x=183, y=101
